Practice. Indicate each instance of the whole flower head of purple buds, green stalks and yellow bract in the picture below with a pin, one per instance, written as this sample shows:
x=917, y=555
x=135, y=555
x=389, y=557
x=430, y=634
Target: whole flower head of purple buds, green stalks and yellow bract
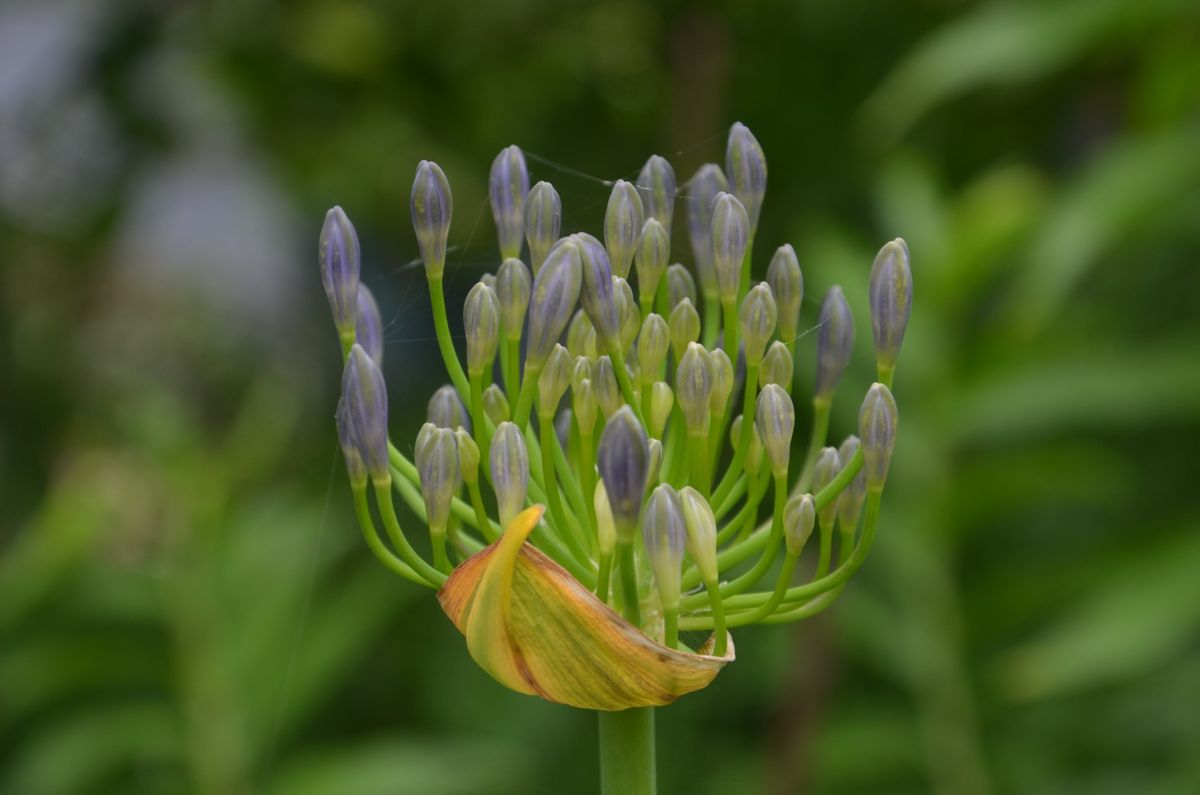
x=643, y=409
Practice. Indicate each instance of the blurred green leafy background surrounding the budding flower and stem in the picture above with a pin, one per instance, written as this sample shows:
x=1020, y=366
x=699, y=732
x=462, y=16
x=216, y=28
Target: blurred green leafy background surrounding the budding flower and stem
x=185, y=602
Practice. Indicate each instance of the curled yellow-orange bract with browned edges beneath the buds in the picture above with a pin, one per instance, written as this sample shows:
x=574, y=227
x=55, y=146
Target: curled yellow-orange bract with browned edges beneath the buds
x=536, y=630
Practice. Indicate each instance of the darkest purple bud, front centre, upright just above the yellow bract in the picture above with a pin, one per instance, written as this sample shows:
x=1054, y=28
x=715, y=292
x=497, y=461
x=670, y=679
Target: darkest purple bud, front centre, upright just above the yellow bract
x=623, y=459
